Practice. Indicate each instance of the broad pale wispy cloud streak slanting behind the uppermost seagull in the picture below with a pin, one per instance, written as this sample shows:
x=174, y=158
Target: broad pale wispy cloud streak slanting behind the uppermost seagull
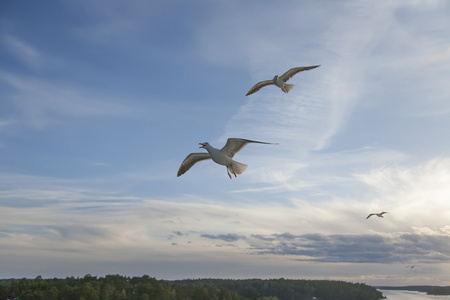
x=325, y=97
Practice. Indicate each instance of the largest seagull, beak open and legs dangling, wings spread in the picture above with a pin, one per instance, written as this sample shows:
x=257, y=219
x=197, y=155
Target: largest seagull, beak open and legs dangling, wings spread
x=223, y=156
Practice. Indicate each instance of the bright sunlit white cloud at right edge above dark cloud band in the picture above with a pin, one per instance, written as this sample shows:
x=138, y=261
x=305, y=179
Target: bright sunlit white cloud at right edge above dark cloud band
x=417, y=195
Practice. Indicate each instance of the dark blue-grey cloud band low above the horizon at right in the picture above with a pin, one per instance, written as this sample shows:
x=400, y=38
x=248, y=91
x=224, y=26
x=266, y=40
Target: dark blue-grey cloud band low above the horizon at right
x=369, y=248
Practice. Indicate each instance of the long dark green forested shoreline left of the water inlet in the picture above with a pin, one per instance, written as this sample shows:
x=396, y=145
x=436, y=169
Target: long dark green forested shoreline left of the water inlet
x=116, y=287
